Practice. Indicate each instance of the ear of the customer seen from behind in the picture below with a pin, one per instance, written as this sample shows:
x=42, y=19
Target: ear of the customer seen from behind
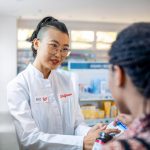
x=119, y=76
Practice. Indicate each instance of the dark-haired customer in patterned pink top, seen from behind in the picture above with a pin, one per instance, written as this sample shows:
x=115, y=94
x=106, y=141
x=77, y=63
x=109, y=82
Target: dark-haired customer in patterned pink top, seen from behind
x=130, y=85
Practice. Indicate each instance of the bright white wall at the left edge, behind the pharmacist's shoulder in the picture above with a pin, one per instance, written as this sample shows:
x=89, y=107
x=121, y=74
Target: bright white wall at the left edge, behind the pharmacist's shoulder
x=8, y=53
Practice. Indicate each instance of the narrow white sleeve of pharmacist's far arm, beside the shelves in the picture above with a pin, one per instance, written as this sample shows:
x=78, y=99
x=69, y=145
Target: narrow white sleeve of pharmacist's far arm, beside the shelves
x=81, y=128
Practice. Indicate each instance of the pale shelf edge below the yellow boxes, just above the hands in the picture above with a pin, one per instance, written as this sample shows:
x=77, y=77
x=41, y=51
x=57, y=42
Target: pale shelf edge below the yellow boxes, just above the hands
x=92, y=122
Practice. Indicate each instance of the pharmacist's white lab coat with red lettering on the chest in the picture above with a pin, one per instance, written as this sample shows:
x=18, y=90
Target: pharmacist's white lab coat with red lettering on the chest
x=46, y=112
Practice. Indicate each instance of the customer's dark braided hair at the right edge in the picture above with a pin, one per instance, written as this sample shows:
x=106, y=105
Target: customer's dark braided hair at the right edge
x=131, y=51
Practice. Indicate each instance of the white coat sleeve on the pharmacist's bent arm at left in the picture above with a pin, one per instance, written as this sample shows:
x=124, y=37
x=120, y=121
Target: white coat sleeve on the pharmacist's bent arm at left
x=29, y=135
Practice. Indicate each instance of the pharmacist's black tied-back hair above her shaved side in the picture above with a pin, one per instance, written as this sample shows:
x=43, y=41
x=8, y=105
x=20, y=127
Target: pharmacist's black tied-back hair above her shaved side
x=45, y=23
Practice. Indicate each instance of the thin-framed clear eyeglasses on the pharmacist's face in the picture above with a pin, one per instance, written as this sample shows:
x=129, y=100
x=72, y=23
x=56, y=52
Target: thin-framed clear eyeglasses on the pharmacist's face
x=55, y=48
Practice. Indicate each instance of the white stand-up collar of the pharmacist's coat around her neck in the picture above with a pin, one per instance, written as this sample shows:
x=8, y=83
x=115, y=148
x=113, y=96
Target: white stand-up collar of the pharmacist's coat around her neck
x=38, y=73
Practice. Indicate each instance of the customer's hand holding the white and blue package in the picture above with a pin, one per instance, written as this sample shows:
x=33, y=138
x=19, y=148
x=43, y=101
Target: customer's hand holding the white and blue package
x=124, y=118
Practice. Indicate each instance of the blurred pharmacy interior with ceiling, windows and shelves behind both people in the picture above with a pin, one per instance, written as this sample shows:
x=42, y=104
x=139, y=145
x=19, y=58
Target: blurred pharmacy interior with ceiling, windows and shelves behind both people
x=93, y=26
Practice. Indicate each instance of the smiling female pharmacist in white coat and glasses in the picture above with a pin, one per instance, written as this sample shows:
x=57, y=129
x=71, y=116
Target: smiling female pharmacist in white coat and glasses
x=43, y=101
